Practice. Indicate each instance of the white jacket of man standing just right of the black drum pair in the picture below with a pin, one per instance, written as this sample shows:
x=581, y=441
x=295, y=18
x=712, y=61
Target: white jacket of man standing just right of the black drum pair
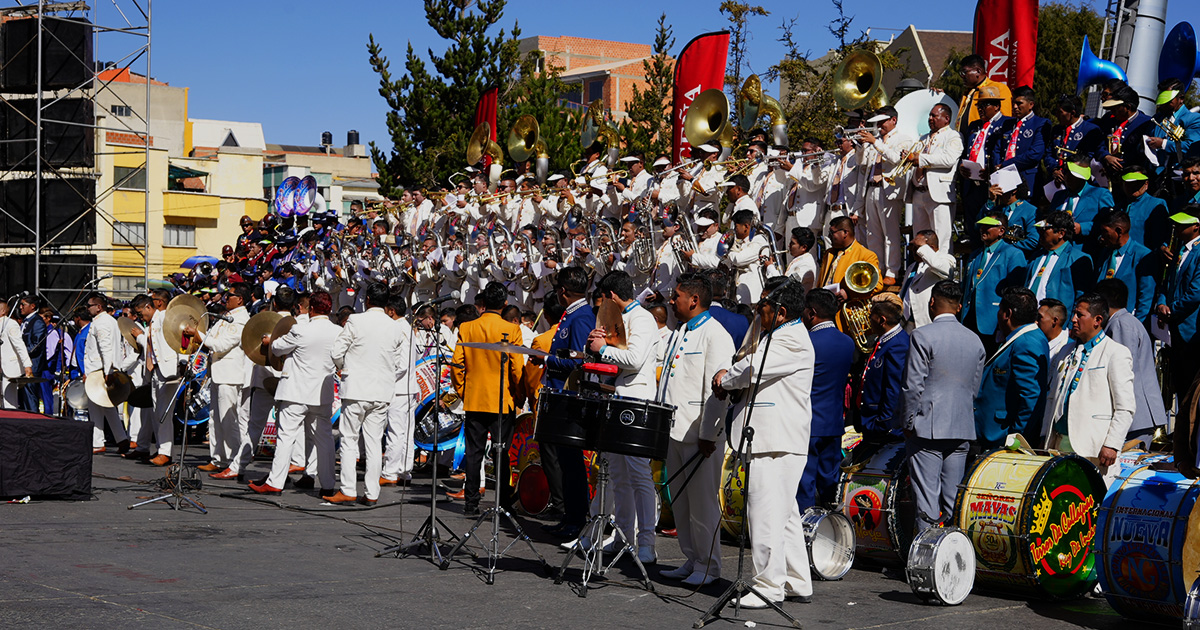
x=693, y=359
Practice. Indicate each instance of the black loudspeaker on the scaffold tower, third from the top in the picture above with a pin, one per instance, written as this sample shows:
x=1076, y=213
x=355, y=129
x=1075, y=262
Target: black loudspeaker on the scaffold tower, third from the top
x=69, y=217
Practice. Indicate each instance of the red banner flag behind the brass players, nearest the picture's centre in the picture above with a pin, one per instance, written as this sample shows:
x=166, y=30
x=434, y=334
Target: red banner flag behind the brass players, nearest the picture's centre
x=701, y=65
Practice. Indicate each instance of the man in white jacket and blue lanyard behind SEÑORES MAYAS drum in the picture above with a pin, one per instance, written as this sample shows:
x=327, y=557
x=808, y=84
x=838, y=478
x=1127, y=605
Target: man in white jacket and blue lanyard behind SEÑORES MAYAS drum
x=1093, y=397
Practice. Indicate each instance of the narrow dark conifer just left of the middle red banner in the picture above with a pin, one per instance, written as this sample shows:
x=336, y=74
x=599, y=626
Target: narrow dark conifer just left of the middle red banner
x=649, y=129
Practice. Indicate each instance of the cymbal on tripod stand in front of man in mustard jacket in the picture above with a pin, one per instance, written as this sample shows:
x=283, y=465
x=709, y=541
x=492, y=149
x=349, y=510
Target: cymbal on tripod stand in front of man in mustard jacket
x=499, y=451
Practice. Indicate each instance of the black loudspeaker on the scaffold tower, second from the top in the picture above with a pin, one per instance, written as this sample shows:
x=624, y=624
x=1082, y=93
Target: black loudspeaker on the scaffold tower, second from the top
x=63, y=145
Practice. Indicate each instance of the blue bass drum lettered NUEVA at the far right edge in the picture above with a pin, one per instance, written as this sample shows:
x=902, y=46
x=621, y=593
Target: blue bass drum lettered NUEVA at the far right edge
x=1149, y=543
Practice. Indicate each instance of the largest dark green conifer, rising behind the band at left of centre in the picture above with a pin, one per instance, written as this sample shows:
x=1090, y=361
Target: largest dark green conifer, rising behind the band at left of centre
x=433, y=113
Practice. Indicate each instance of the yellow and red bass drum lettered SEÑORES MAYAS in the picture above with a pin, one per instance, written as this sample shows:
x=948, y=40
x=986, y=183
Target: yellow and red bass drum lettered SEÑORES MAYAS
x=1031, y=518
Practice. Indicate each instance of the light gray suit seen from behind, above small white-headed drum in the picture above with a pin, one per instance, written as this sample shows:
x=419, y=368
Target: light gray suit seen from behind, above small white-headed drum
x=938, y=412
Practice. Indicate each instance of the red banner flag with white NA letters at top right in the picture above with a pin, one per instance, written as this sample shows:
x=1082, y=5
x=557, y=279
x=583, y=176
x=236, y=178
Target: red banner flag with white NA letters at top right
x=1006, y=35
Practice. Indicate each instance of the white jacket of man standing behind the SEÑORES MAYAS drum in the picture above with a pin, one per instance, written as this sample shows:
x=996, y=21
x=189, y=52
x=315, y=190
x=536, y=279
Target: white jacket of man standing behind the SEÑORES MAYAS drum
x=1102, y=406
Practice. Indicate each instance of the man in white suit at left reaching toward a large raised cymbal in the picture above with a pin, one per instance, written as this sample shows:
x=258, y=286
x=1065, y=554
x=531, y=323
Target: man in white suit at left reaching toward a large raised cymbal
x=227, y=374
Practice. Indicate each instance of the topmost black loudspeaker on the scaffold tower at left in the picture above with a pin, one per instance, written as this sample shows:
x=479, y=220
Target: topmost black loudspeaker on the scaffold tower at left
x=67, y=55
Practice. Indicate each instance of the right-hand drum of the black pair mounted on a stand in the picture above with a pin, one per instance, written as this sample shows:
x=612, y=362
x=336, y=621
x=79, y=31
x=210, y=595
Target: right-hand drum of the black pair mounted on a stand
x=634, y=427
